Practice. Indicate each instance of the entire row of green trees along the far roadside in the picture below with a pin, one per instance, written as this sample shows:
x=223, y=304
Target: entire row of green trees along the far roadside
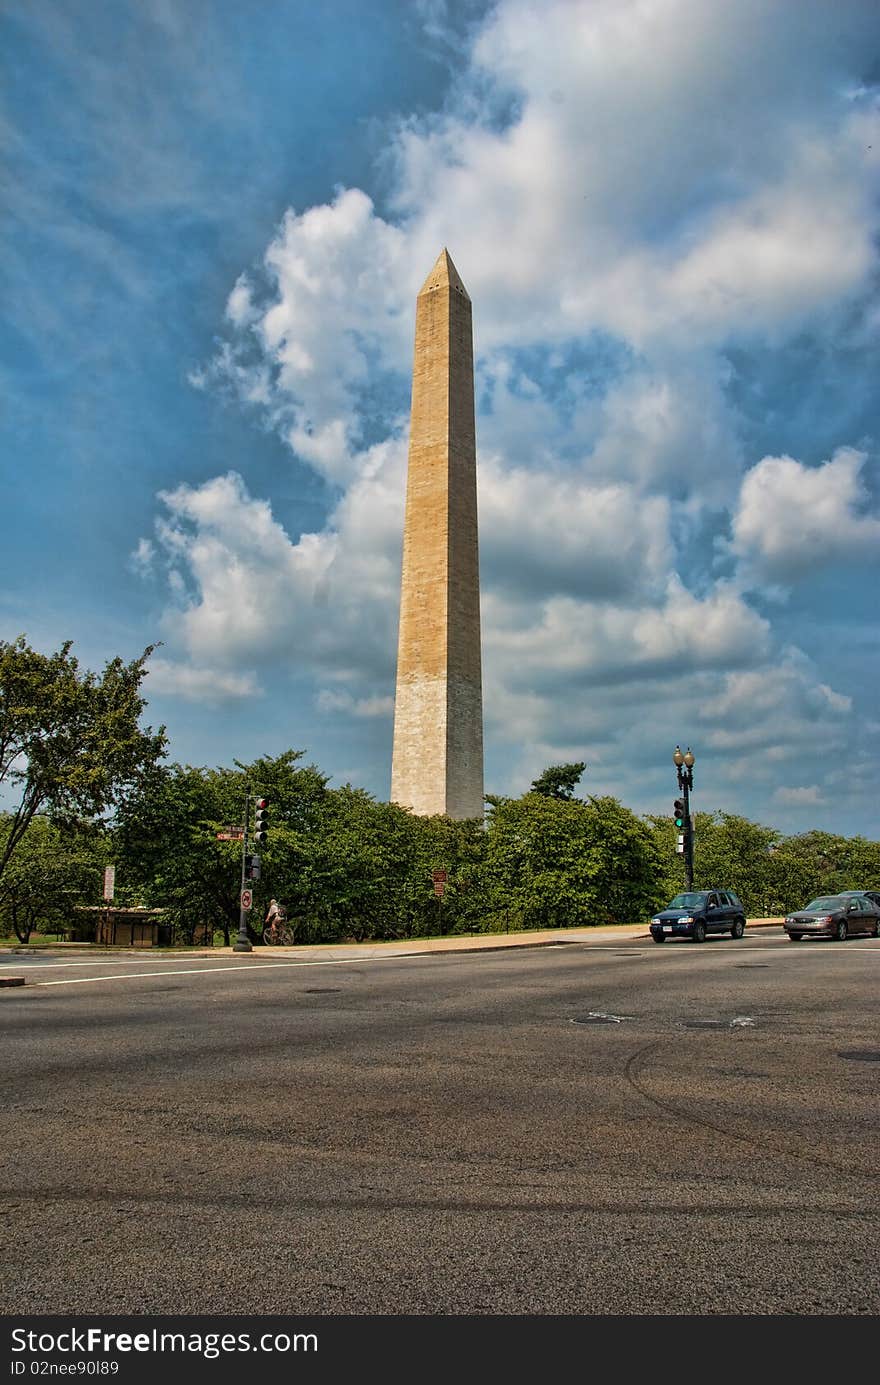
x=92, y=787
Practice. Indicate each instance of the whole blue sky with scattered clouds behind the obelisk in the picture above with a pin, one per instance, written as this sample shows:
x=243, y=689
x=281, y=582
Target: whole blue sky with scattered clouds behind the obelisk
x=217, y=218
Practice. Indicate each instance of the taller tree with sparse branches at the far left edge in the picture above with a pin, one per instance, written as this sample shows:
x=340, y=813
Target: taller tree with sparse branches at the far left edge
x=70, y=740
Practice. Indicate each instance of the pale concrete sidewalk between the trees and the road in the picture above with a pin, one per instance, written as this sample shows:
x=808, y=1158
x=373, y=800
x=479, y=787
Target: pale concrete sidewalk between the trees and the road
x=604, y=936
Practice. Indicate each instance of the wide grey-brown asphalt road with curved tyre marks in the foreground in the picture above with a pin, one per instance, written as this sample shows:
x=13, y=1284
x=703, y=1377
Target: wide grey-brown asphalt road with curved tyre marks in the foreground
x=588, y=1129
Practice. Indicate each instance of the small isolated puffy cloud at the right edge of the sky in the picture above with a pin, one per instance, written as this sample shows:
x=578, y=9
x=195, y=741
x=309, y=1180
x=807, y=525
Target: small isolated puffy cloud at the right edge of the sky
x=792, y=519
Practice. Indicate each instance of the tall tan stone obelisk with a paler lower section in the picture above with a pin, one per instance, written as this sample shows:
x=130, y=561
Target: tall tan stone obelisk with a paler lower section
x=437, y=761
